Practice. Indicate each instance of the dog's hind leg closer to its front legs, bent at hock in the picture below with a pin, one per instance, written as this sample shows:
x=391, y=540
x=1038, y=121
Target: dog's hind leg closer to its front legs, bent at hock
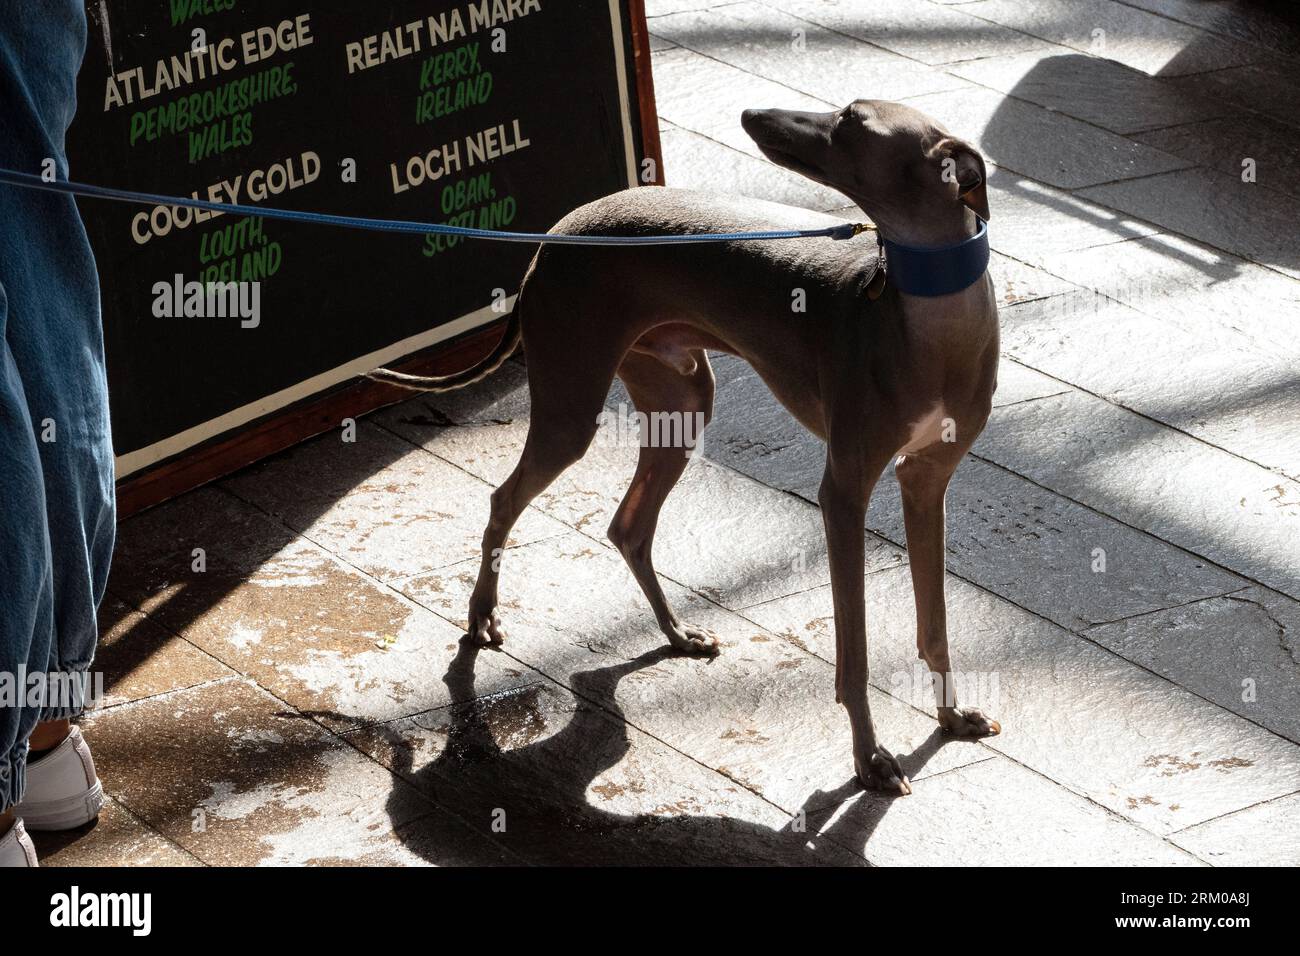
x=675, y=399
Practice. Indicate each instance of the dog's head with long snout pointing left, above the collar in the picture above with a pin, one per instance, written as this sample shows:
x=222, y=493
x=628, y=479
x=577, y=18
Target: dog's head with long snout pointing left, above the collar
x=904, y=170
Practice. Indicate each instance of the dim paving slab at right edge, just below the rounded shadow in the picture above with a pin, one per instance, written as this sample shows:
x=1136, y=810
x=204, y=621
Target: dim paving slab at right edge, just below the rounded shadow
x=1219, y=210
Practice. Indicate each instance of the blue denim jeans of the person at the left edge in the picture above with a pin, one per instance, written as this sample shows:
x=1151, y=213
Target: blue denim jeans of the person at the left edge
x=57, y=458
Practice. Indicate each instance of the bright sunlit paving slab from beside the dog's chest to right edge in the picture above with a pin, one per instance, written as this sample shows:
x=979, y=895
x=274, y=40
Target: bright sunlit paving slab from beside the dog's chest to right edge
x=1146, y=475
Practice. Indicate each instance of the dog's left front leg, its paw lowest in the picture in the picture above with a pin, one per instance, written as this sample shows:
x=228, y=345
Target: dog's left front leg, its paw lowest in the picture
x=844, y=495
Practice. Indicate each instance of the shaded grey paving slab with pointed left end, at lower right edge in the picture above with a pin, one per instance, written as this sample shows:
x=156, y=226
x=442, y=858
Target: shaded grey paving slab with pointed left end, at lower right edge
x=1241, y=651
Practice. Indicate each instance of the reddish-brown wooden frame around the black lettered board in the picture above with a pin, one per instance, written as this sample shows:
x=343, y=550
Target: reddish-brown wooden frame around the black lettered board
x=322, y=413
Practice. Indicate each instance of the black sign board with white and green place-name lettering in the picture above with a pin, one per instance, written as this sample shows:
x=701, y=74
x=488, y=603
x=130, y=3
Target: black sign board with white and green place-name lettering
x=495, y=114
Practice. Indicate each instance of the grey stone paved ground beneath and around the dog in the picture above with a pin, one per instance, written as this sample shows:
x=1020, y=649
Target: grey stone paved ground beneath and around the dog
x=306, y=698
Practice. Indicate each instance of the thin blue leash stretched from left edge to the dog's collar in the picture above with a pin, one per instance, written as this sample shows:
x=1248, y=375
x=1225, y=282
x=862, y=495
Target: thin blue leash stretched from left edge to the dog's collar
x=392, y=226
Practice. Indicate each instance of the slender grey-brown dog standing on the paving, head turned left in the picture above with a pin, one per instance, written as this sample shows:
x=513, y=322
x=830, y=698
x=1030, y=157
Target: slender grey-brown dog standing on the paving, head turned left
x=874, y=369
